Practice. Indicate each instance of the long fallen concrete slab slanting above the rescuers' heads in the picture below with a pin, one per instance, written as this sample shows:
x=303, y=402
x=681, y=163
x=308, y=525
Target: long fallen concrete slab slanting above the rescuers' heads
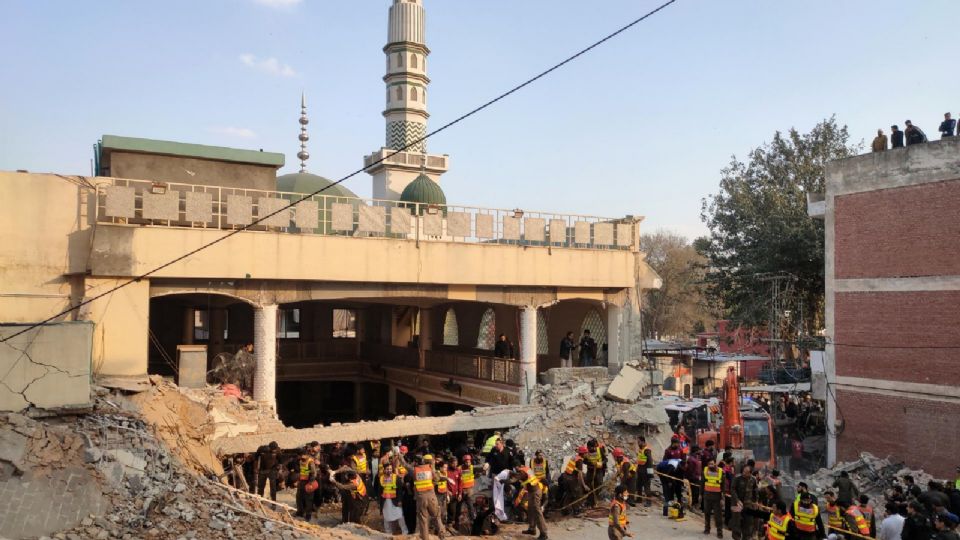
x=479, y=419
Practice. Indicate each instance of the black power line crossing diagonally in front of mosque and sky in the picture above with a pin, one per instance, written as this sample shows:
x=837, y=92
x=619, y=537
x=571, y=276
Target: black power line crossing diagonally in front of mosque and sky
x=414, y=143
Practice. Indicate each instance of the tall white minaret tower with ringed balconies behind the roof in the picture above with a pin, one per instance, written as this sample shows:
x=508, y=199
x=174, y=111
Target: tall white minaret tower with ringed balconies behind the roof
x=406, y=113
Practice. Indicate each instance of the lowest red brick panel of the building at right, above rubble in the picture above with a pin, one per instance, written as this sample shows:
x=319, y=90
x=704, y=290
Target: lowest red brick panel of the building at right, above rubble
x=922, y=433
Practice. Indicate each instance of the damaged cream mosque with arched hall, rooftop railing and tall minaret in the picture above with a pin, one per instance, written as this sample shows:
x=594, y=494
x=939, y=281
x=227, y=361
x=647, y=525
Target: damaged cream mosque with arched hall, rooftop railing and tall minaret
x=355, y=308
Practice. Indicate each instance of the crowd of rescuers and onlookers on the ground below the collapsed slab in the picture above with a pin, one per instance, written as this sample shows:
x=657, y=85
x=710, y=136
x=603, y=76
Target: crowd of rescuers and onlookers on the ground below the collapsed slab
x=421, y=490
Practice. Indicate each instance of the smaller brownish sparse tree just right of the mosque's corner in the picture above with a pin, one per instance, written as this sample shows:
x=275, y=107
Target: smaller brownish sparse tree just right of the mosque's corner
x=679, y=307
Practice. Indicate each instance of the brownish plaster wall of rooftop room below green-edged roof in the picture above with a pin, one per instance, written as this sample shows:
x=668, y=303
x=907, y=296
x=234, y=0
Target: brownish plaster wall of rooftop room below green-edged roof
x=184, y=170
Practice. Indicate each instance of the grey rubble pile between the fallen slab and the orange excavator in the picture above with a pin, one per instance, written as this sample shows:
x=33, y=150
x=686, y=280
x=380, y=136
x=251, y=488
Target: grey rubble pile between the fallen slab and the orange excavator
x=575, y=409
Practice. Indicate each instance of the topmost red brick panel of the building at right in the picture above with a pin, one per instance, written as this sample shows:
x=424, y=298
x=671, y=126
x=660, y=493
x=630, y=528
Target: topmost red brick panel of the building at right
x=909, y=231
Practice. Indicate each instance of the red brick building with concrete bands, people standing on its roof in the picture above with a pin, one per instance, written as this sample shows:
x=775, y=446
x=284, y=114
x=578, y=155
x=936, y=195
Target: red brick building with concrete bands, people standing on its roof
x=893, y=305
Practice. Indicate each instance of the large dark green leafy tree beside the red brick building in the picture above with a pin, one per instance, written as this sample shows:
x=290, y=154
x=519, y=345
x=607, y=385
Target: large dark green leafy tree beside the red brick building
x=759, y=226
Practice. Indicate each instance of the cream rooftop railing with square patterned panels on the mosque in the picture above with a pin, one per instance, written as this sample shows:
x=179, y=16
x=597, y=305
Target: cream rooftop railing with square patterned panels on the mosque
x=145, y=203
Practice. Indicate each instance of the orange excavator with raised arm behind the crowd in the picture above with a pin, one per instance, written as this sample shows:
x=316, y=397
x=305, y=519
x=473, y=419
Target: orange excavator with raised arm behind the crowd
x=745, y=429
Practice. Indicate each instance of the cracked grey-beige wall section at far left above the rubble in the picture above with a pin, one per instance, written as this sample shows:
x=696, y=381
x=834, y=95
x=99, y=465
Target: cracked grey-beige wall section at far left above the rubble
x=47, y=367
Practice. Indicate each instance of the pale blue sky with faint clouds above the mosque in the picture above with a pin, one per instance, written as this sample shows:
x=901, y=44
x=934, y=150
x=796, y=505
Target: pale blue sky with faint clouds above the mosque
x=642, y=125
